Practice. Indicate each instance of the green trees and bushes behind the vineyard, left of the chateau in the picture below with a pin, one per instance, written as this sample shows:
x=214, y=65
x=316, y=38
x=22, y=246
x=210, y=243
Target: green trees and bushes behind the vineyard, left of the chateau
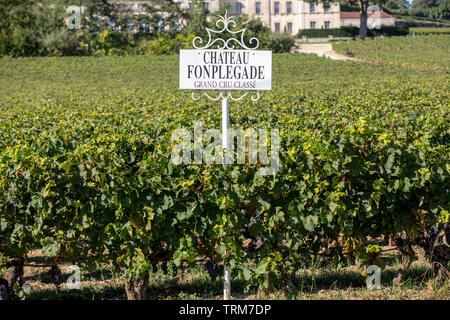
x=29, y=29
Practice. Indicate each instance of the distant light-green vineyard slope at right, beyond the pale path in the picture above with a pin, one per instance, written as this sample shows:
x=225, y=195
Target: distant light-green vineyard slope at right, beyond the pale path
x=422, y=51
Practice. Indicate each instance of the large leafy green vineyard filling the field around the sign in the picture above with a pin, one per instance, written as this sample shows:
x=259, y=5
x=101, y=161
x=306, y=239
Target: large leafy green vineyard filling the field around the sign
x=86, y=174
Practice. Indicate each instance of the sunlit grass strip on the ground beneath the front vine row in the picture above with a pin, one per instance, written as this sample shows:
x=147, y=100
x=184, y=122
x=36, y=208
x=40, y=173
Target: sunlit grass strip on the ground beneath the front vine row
x=322, y=283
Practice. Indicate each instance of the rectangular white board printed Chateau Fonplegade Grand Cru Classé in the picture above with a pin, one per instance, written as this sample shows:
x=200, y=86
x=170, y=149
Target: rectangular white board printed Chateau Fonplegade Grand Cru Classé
x=225, y=69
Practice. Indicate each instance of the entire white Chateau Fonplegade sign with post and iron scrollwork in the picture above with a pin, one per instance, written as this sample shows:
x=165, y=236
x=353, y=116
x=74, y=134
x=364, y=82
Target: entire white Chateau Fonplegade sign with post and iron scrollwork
x=217, y=66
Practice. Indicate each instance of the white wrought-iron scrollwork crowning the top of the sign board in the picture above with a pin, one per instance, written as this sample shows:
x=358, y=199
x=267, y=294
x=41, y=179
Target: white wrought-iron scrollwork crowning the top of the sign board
x=228, y=23
